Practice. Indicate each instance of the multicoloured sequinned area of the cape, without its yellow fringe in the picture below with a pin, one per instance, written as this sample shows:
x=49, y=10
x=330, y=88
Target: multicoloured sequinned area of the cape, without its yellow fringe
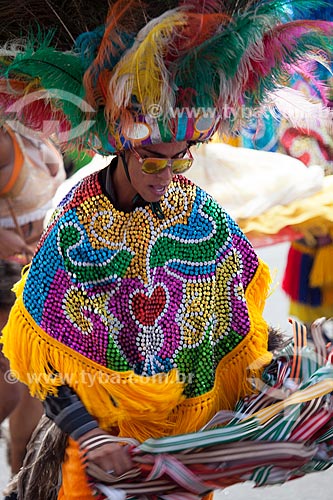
x=131, y=291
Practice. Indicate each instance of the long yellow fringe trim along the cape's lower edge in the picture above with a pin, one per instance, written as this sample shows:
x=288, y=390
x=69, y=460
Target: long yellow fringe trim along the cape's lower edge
x=137, y=406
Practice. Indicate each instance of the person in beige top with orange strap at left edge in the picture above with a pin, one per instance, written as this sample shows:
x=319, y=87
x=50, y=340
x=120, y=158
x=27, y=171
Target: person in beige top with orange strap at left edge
x=31, y=169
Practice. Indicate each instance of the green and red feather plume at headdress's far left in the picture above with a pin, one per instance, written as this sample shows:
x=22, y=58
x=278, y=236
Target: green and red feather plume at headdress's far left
x=43, y=88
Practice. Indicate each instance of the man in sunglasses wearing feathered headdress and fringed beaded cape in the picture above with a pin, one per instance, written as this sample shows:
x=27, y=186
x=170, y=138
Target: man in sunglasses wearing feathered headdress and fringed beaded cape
x=141, y=313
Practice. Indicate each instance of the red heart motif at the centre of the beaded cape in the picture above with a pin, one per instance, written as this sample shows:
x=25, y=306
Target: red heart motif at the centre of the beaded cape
x=147, y=309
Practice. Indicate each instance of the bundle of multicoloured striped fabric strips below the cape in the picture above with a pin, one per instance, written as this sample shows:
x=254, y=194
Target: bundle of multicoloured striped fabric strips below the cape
x=282, y=433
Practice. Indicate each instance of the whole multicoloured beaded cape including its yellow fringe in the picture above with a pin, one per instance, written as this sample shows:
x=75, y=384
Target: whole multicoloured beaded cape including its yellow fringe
x=170, y=309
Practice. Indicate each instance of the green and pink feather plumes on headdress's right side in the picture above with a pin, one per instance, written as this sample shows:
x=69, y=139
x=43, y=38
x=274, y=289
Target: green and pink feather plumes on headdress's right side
x=248, y=58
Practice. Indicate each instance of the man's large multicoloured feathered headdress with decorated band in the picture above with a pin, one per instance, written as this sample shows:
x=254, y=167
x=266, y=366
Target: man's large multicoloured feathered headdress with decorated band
x=150, y=75
